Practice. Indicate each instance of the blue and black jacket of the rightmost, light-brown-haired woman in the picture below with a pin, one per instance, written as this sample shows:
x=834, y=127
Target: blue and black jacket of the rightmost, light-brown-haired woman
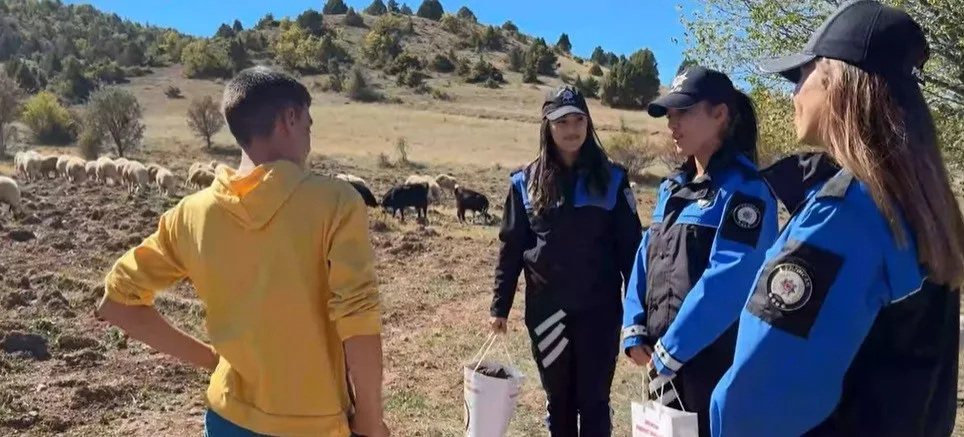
x=841, y=335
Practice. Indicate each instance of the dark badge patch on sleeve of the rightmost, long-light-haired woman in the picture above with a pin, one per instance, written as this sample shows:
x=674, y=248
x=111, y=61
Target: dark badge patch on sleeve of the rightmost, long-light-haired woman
x=792, y=288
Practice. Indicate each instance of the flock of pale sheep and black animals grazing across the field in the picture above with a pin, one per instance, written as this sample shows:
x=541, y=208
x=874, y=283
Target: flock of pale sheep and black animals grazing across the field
x=417, y=191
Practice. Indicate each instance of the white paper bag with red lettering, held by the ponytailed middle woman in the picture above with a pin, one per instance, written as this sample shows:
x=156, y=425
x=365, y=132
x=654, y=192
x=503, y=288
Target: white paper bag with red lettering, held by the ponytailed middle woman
x=653, y=419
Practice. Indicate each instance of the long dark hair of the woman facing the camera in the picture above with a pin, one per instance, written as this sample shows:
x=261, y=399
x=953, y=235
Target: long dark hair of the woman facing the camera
x=544, y=183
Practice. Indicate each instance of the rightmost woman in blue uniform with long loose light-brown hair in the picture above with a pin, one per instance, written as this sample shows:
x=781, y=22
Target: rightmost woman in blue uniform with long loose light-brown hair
x=851, y=328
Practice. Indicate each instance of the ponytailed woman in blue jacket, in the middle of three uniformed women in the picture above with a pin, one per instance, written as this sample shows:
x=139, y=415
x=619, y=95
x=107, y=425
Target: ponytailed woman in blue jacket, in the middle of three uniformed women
x=712, y=222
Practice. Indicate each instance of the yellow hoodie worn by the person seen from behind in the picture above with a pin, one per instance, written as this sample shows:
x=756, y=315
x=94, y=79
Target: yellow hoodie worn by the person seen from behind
x=283, y=262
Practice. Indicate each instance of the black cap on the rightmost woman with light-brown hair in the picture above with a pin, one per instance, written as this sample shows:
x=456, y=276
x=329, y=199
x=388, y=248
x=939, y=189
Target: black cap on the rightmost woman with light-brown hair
x=867, y=34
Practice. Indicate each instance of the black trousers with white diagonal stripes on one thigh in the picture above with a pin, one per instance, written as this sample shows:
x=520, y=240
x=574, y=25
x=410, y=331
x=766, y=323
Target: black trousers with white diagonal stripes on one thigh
x=576, y=356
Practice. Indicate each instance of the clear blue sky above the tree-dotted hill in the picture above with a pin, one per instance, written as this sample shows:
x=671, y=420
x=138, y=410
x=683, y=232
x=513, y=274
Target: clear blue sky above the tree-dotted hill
x=621, y=26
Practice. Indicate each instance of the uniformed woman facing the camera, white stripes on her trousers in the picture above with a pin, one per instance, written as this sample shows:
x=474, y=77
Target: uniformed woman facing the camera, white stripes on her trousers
x=570, y=223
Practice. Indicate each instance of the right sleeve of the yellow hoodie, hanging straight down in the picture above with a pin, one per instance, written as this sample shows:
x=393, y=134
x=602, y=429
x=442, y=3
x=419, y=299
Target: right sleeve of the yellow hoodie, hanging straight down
x=354, y=305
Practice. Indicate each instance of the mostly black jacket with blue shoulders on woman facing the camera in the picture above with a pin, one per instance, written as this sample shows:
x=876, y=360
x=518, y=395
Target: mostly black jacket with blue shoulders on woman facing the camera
x=578, y=254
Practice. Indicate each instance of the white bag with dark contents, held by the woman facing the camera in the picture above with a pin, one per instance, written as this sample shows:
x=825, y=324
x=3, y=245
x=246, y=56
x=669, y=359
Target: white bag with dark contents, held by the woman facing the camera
x=490, y=402
